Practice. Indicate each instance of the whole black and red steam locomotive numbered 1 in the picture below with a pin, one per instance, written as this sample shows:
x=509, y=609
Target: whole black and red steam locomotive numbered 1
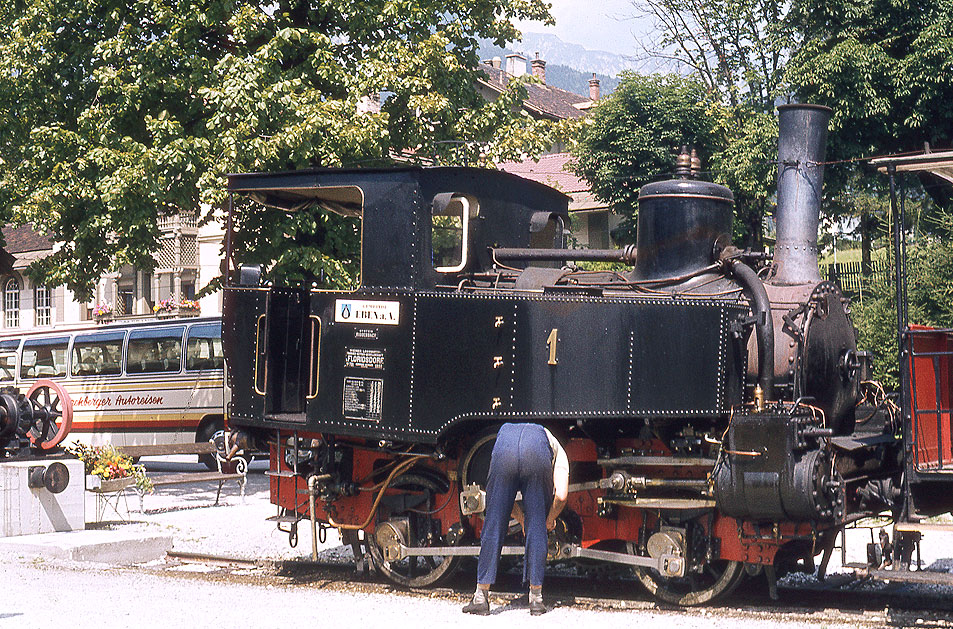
x=711, y=400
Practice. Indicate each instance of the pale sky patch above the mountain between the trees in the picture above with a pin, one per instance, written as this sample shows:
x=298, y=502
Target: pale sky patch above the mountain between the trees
x=593, y=24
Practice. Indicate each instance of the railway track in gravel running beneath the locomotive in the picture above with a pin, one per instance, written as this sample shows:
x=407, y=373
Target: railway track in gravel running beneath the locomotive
x=841, y=600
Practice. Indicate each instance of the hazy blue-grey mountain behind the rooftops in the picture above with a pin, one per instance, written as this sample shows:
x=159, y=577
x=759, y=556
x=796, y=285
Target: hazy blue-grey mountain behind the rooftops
x=568, y=66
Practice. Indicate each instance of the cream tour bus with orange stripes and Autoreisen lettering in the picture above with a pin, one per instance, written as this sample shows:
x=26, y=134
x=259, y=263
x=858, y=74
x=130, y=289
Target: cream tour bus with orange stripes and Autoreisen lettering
x=128, y=383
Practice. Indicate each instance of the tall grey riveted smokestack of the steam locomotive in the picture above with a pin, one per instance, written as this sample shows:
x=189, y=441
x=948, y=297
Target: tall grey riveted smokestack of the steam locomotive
x=802, y=142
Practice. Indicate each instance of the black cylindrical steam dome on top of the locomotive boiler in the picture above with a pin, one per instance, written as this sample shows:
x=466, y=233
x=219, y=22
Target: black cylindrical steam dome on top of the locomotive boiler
x=681, y=221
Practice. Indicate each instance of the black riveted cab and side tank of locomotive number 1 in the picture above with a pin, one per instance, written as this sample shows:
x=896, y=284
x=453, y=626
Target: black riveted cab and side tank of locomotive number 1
x=465, y=316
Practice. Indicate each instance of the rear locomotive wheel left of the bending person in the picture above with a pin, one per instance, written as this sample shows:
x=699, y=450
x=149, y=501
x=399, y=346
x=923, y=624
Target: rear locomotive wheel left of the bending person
x=413, y=571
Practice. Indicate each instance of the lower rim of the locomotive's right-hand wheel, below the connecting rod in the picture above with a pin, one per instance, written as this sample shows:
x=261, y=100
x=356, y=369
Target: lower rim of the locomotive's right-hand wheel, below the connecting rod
x=717, y=579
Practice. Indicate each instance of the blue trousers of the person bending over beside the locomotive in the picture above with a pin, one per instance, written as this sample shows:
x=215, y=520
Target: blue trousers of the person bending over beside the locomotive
x=522, y=461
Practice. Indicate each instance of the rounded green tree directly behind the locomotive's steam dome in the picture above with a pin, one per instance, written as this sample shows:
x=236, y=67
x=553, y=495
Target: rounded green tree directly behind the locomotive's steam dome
x=634, y=137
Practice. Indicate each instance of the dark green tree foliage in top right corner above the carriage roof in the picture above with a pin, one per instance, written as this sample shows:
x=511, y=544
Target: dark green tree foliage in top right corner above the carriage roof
x=884, y=66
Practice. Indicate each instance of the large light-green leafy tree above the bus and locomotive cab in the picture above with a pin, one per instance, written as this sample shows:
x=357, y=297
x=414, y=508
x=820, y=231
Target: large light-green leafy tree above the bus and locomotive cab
x=113, y=112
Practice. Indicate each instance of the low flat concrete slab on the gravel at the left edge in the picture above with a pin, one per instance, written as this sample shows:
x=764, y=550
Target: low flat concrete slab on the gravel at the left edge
x=100, y=546
